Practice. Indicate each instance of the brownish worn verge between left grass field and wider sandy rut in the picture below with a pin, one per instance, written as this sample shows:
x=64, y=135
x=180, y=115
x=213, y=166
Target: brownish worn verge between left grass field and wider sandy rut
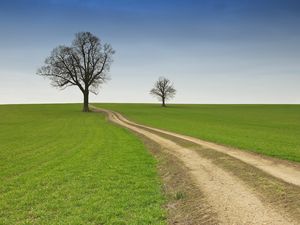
x=186, y=204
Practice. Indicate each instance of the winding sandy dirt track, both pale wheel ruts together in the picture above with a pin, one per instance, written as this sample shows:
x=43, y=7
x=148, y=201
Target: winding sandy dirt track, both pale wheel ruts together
x=233, y=201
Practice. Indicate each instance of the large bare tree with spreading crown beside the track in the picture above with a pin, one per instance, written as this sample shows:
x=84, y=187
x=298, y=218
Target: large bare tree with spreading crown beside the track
x=84, y=64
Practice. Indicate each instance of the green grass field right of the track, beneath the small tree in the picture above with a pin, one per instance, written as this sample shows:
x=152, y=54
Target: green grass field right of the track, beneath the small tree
x=272, y=130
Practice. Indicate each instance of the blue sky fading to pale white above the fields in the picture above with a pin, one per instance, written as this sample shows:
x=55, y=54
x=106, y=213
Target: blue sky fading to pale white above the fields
x=214, y=51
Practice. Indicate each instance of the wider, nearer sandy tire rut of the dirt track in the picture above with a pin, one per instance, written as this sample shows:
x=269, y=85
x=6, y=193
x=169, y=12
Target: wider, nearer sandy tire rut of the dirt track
x=229, y=197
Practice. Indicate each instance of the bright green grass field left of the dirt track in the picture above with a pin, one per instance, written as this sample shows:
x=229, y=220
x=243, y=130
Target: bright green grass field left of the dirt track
x=61, y=166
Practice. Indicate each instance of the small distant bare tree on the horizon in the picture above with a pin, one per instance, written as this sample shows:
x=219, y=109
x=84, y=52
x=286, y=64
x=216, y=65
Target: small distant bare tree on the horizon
x=163, y=90
